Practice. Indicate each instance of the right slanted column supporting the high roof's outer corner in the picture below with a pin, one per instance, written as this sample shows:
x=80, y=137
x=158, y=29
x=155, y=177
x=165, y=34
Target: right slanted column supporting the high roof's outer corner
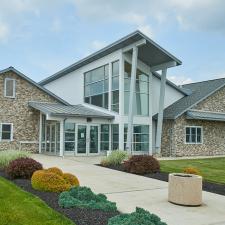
x=160, y=113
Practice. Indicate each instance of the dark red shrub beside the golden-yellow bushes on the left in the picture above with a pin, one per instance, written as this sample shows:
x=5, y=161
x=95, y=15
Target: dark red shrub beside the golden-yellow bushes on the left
x=23, y=168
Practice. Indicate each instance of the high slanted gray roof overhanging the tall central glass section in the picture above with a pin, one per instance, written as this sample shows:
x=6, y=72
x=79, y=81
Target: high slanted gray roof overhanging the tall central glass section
x=150, y=53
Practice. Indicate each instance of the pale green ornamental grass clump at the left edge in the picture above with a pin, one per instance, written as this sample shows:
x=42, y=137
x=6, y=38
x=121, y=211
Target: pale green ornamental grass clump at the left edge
x=9, y=155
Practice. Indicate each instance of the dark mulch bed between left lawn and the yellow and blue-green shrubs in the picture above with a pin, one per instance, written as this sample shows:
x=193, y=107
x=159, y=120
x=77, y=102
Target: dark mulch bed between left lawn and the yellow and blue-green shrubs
x=77, y=215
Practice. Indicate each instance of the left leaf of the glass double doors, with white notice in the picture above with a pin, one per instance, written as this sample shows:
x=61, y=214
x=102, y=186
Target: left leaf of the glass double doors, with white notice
x=81, y=139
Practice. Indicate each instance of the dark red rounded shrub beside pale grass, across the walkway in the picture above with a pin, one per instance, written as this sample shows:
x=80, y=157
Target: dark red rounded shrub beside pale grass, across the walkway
x=141, y=164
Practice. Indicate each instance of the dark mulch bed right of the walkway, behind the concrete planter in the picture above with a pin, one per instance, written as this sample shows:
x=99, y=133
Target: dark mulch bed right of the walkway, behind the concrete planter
x=207, y=186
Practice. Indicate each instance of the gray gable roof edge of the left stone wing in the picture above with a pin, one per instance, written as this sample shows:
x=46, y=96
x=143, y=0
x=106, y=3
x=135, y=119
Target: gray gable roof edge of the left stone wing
x=33, y=83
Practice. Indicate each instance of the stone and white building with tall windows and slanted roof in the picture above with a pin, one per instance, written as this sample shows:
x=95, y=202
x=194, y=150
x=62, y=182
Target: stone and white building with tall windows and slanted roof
x=113, y=99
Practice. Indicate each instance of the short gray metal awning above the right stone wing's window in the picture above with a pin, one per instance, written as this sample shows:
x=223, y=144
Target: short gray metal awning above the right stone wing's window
x=204, y=115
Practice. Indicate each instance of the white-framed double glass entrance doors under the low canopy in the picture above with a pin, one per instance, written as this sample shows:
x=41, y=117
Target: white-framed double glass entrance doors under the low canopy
x=87, y=139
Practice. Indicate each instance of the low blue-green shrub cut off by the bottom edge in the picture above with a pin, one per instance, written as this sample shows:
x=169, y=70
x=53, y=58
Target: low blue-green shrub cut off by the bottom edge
x=140, y=217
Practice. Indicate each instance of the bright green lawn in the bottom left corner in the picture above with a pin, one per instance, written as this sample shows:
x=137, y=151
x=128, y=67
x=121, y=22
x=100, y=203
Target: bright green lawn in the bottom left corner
x=21, y=208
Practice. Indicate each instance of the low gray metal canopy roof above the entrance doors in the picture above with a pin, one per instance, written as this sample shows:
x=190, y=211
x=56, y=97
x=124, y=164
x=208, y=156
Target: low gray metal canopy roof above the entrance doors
x=55, y=109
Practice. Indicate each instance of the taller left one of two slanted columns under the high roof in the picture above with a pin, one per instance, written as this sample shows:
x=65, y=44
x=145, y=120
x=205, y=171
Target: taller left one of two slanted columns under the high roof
x=131, y=100
